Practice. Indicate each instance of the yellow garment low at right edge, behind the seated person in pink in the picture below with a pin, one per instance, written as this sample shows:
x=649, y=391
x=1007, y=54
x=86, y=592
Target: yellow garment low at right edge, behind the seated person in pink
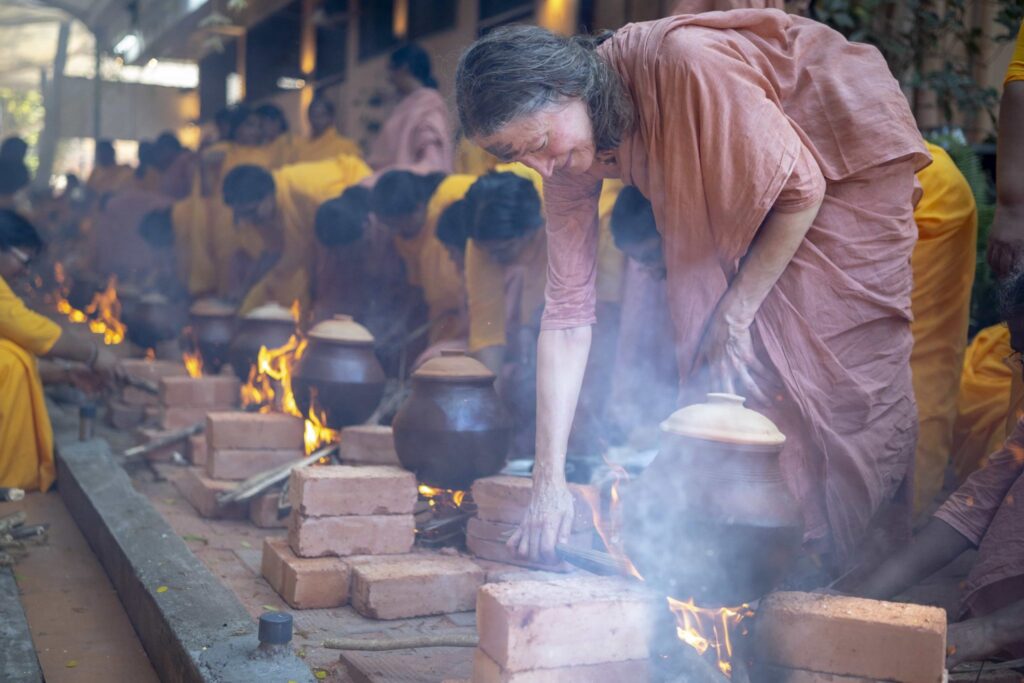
x=985, y=396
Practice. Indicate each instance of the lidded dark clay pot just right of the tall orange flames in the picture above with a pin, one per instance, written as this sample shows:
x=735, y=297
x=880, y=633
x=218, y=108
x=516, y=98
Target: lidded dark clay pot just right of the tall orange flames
x=340, y=370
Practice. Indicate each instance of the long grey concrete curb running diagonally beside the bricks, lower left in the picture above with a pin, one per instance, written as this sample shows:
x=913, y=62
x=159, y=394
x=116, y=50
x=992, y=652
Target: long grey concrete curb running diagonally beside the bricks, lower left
x=179, y=609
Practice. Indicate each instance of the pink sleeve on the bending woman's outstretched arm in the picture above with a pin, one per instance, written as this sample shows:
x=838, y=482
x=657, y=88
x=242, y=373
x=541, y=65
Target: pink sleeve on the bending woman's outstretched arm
x=571, y=297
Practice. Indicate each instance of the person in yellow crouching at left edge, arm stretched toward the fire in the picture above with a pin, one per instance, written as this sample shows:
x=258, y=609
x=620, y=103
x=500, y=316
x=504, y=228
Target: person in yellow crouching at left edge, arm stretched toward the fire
x=26, y=435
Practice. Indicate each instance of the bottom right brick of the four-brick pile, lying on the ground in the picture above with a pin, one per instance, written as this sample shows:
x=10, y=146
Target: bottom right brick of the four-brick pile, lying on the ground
x=403, y=588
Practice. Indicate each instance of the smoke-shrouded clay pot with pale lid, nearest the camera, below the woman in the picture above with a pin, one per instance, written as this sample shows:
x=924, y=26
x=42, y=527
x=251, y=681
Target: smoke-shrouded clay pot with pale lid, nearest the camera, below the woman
x=712, y=519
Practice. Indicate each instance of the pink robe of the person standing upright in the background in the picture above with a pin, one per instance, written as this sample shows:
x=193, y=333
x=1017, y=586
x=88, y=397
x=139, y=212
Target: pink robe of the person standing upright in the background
x=417, y=134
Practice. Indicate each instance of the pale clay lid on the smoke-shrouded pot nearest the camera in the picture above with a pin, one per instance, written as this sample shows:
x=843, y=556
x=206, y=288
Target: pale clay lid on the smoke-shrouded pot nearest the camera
x=727, y=420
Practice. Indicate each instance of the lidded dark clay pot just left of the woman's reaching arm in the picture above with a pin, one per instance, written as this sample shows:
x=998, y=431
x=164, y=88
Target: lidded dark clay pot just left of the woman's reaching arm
x=453, y=430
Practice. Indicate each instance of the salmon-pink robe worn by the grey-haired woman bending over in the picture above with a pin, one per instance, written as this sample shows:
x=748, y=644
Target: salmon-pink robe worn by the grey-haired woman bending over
x=740, y=113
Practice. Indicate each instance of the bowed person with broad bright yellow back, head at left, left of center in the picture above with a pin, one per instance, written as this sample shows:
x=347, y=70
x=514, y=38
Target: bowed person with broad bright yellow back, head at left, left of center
x=276, y=215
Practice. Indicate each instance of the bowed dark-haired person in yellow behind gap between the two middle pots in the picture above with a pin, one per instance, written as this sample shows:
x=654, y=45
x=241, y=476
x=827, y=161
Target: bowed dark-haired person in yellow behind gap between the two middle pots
x=410, y=205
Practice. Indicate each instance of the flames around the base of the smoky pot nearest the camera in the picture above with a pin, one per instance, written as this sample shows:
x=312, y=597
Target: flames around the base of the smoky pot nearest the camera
x=701, y=628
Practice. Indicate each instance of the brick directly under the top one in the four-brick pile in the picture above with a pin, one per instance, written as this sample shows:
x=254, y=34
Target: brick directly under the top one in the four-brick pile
x=369, y=535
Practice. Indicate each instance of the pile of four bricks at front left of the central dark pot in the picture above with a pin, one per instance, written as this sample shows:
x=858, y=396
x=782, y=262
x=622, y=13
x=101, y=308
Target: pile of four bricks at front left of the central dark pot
x=352, y=536
